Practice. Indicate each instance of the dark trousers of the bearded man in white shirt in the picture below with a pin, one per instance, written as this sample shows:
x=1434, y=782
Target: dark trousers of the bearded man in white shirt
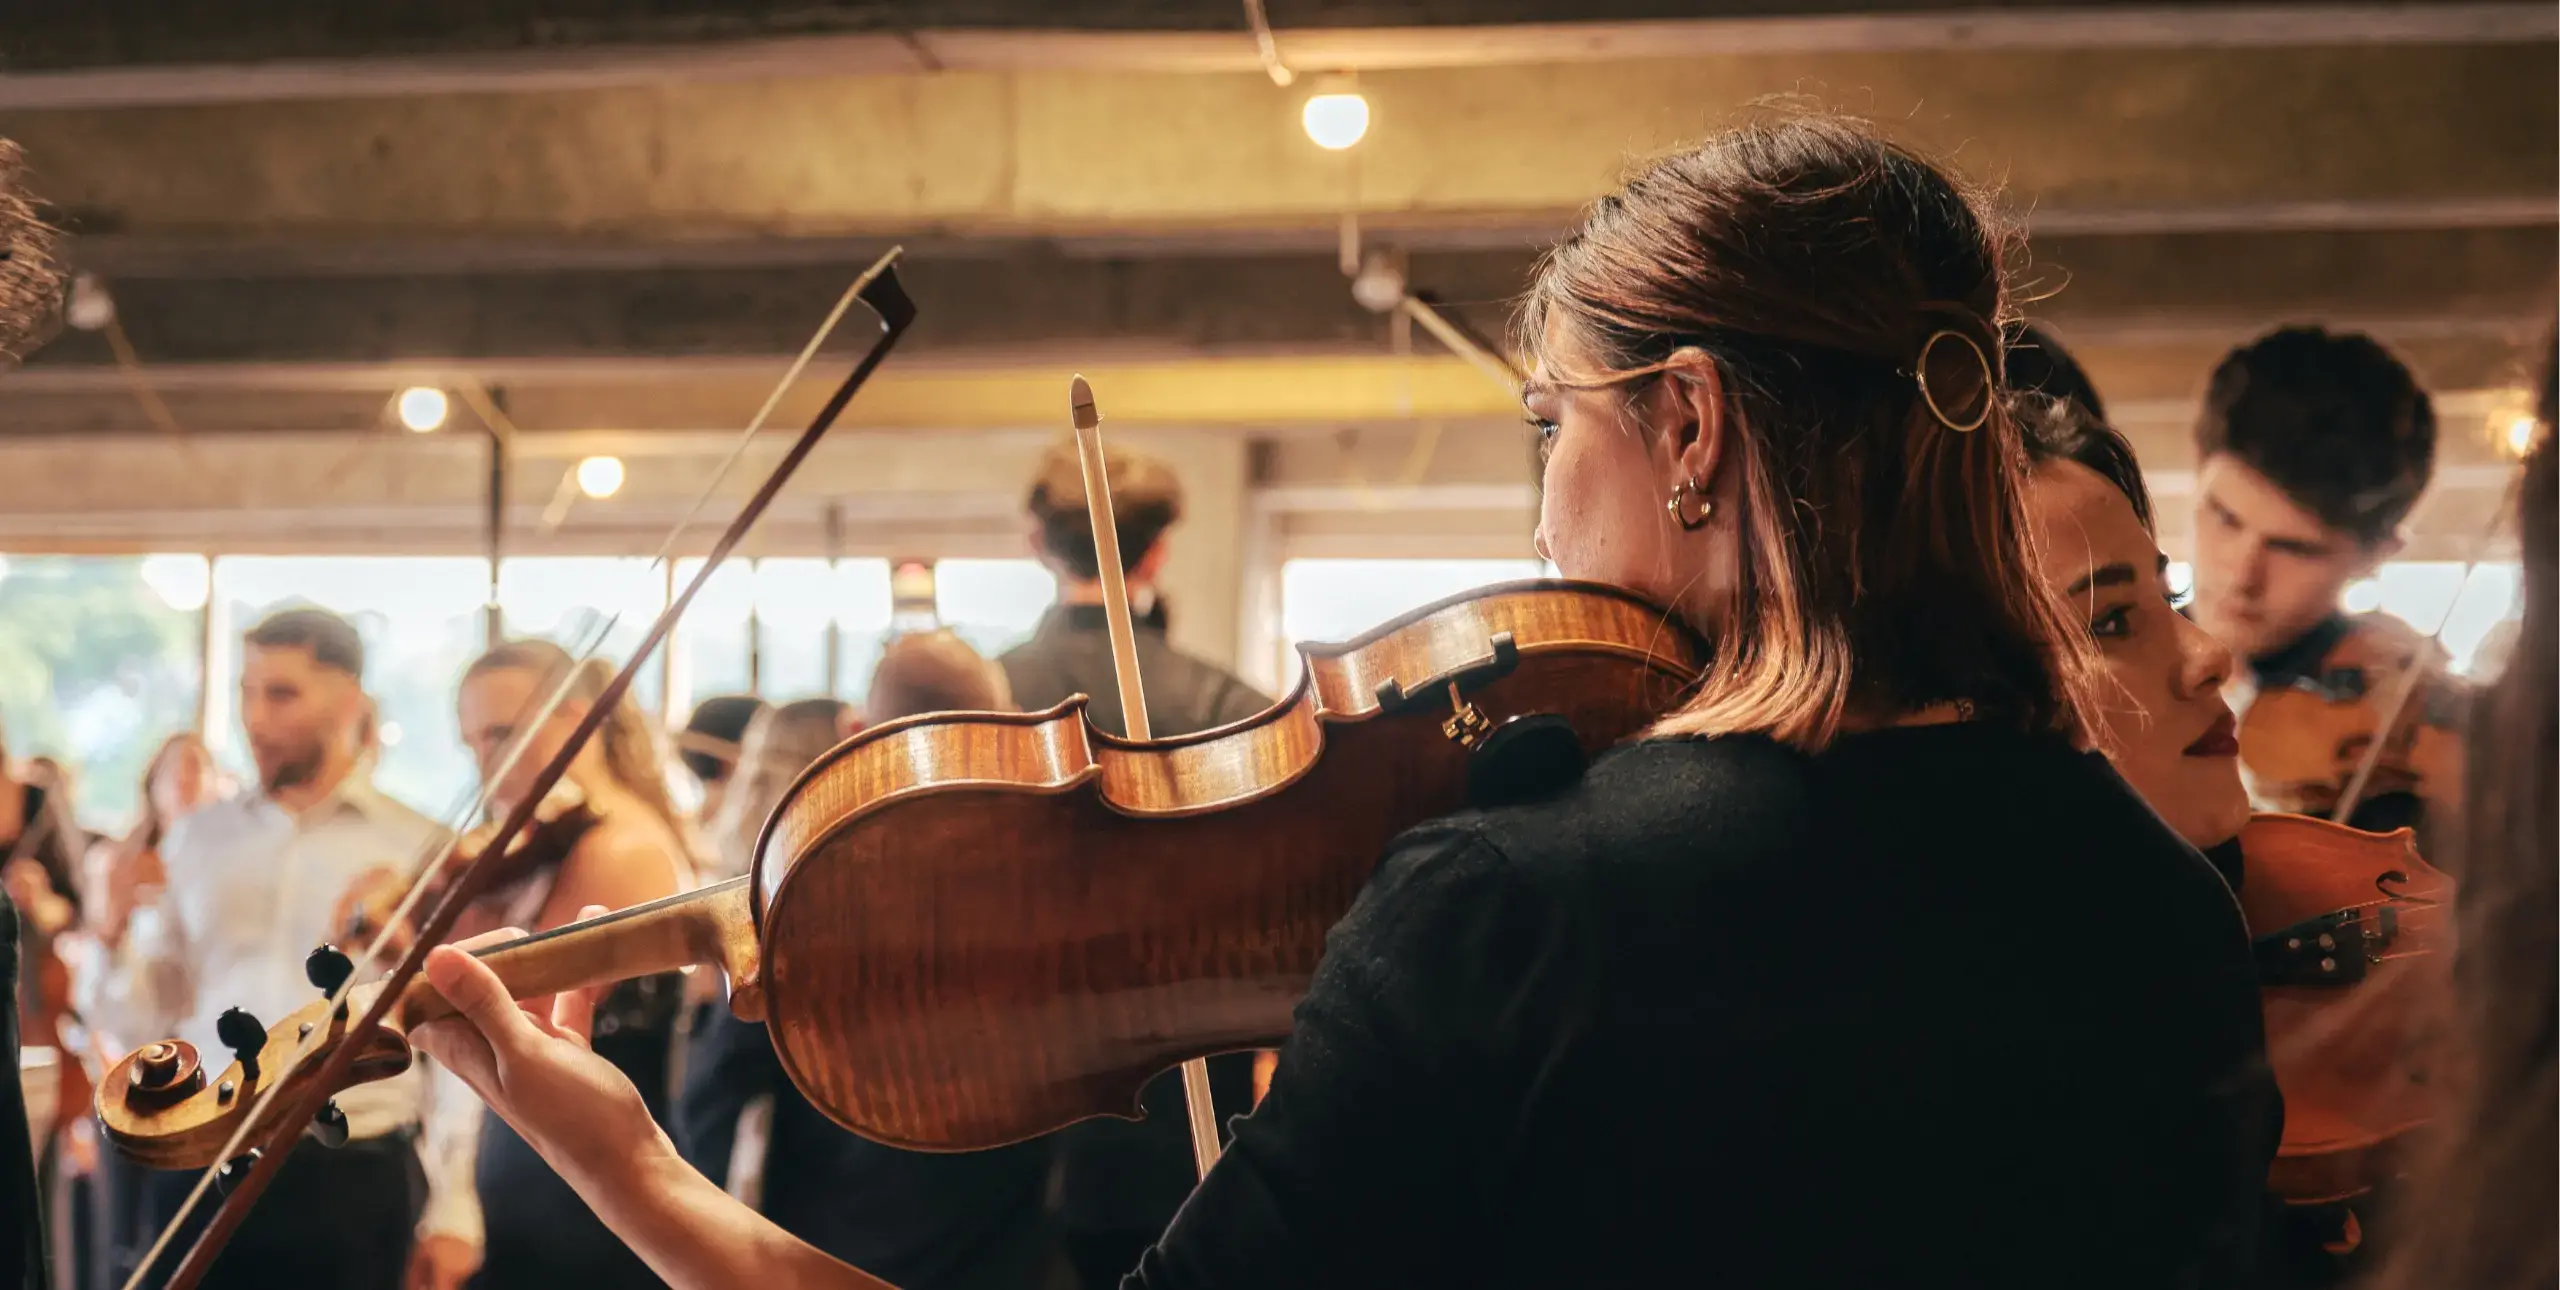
x=334, y=1220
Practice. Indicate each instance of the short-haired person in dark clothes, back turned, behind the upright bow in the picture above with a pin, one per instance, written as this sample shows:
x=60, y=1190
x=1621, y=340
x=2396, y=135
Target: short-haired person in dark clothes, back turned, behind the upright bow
x=1123, y=1181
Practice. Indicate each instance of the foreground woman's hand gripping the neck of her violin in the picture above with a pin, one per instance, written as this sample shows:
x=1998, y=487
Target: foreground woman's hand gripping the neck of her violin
x=534, y=1066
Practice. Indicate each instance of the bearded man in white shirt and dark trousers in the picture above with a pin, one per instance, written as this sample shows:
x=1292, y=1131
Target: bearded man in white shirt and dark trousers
x=252, y=887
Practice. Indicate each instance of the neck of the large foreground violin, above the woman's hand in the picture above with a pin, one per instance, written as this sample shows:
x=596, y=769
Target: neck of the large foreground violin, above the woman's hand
x=698, y=928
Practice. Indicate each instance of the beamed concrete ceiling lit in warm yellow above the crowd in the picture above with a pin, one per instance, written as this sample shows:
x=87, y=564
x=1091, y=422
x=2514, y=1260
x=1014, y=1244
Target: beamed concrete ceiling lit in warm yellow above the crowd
x=626, y=214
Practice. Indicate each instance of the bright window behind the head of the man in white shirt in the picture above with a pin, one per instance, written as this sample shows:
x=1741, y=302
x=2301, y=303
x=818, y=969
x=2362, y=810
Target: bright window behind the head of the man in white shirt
x=421, y=623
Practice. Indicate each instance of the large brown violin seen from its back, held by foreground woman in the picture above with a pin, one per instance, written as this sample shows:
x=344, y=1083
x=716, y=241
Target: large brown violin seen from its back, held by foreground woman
x=969, y=930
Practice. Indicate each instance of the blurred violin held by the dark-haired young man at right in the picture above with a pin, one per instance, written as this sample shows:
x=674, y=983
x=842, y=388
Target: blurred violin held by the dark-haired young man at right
x=2303, y=744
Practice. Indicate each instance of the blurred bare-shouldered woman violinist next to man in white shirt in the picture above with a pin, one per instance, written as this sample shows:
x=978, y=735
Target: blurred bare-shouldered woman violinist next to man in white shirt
x=616, y=841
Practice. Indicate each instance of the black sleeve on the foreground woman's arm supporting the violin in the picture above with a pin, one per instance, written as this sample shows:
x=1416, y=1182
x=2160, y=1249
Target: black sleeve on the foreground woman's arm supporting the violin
x=1437, y=1007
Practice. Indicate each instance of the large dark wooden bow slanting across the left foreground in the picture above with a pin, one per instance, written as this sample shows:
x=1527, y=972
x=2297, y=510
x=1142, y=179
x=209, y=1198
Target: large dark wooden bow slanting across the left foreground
x=877, y=291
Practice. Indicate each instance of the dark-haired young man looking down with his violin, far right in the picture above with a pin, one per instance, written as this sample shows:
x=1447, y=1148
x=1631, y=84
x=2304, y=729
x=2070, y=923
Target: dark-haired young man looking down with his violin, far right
x=2310, y=454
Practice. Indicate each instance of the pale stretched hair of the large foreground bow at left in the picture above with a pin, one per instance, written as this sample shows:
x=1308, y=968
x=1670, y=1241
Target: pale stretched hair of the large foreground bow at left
x=439, y=851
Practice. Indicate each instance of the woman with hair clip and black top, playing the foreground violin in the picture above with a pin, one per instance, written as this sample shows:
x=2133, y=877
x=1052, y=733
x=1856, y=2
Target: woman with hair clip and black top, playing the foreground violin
x=1855, y=974
